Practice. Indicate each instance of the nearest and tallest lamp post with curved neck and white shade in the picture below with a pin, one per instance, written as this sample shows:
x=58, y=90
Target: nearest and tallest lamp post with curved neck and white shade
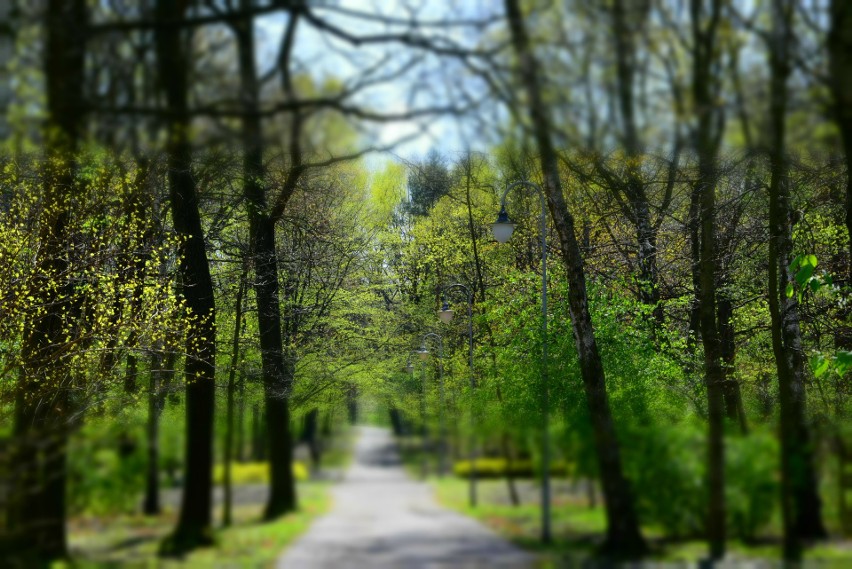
x=502, y=230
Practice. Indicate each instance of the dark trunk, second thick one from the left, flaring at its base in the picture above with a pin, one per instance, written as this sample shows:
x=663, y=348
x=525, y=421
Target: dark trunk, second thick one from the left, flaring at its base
x=194, y=523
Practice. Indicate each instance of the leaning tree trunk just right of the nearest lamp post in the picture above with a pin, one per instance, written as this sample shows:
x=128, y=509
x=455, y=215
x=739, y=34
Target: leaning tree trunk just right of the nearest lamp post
x=623, y=537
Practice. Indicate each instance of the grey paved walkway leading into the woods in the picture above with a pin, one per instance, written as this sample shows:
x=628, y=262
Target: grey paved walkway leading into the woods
x=382, y=519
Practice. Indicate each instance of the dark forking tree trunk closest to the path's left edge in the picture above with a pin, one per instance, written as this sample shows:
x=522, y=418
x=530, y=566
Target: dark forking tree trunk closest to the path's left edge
x=277, y=378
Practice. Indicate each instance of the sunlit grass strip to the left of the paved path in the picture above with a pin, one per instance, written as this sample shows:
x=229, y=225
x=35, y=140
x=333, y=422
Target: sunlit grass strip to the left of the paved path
x=132, y=541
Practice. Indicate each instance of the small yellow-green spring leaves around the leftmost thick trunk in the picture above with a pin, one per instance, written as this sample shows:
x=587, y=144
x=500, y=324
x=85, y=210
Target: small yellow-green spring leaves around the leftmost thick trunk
x=107, y=285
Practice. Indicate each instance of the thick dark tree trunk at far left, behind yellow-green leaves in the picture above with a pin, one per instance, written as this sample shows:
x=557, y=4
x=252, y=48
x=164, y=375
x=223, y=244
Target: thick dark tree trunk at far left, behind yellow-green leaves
x=42, y=403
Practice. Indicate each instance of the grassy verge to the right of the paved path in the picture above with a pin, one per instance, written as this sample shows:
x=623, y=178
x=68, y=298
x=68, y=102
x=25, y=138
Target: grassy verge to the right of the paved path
x=578, y=528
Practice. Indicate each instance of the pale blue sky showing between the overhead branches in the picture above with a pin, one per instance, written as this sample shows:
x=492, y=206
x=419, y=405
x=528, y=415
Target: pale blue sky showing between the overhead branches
x=323, y=56
